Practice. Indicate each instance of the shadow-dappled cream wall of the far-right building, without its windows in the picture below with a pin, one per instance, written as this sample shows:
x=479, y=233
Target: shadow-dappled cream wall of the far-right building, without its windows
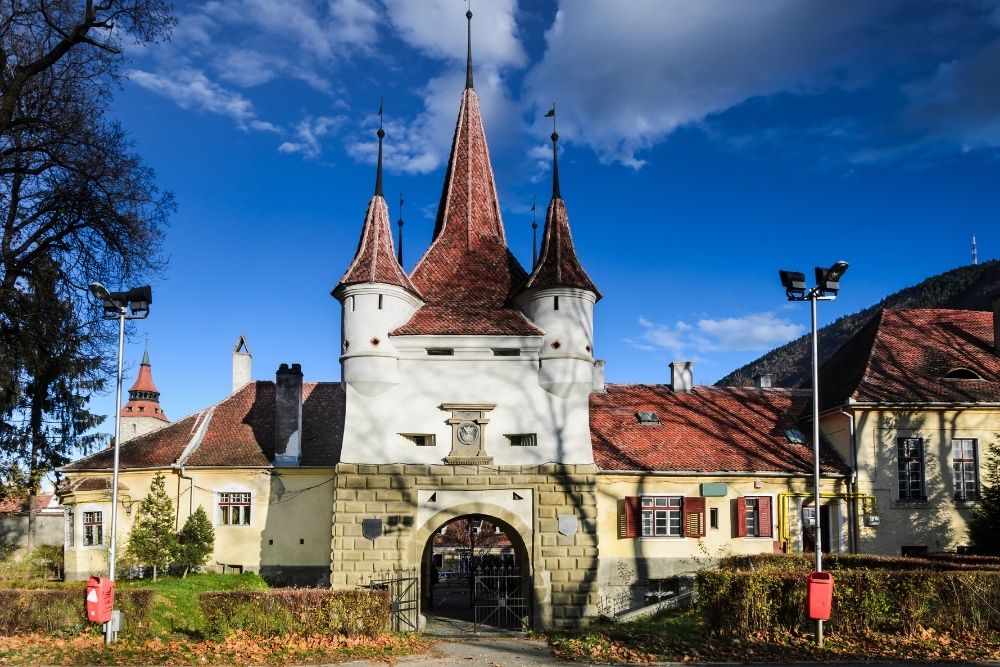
x=938, y=523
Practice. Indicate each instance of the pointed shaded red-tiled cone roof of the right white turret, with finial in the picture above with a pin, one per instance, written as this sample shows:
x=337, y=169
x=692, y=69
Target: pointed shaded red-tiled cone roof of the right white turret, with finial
x=558, y=265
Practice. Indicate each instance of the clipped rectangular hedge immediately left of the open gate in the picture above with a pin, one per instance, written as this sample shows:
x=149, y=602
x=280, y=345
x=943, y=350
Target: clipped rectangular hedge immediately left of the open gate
x=302, y=610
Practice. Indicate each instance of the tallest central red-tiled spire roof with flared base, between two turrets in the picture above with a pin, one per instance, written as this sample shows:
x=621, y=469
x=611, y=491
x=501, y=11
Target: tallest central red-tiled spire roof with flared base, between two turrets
x=468, y=274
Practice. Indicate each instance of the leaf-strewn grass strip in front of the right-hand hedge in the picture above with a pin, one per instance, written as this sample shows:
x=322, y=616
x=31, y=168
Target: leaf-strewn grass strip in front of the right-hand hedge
x=682, y=637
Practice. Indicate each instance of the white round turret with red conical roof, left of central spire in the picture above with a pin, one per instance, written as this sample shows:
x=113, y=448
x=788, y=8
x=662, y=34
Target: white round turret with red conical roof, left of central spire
x=376, y=296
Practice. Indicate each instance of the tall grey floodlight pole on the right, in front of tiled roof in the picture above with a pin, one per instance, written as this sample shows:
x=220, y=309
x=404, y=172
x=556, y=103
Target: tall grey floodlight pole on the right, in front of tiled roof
x=826, y=288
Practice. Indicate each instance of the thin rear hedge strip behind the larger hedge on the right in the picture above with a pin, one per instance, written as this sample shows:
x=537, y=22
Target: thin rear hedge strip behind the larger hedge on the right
x=940, y=562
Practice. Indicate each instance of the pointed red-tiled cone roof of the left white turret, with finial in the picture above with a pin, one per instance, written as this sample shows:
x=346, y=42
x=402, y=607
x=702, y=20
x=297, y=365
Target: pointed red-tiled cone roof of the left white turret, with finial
x=375, y=260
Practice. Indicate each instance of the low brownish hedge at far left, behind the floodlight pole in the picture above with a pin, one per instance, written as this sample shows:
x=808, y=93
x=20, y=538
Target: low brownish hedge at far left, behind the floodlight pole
x=58, y=610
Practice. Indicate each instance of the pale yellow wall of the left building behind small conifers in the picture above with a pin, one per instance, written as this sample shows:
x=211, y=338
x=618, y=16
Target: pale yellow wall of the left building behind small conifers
x=287, y=539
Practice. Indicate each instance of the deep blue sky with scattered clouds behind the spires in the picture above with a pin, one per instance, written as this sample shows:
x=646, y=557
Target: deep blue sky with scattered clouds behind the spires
x=704, y=145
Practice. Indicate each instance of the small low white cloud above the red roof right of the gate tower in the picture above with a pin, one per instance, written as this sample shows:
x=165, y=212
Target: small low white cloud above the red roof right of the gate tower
x=753, y=332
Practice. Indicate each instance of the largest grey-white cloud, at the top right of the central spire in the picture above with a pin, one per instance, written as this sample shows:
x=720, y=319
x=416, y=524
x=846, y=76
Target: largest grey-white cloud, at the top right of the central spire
x=625, y=75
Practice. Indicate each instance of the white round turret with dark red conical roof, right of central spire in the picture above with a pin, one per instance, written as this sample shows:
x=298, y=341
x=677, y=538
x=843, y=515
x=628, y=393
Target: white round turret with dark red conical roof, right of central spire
x=559, y=297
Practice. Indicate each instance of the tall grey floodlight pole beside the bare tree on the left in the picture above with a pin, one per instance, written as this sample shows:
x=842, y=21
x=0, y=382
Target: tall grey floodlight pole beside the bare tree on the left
x=117, y=305
